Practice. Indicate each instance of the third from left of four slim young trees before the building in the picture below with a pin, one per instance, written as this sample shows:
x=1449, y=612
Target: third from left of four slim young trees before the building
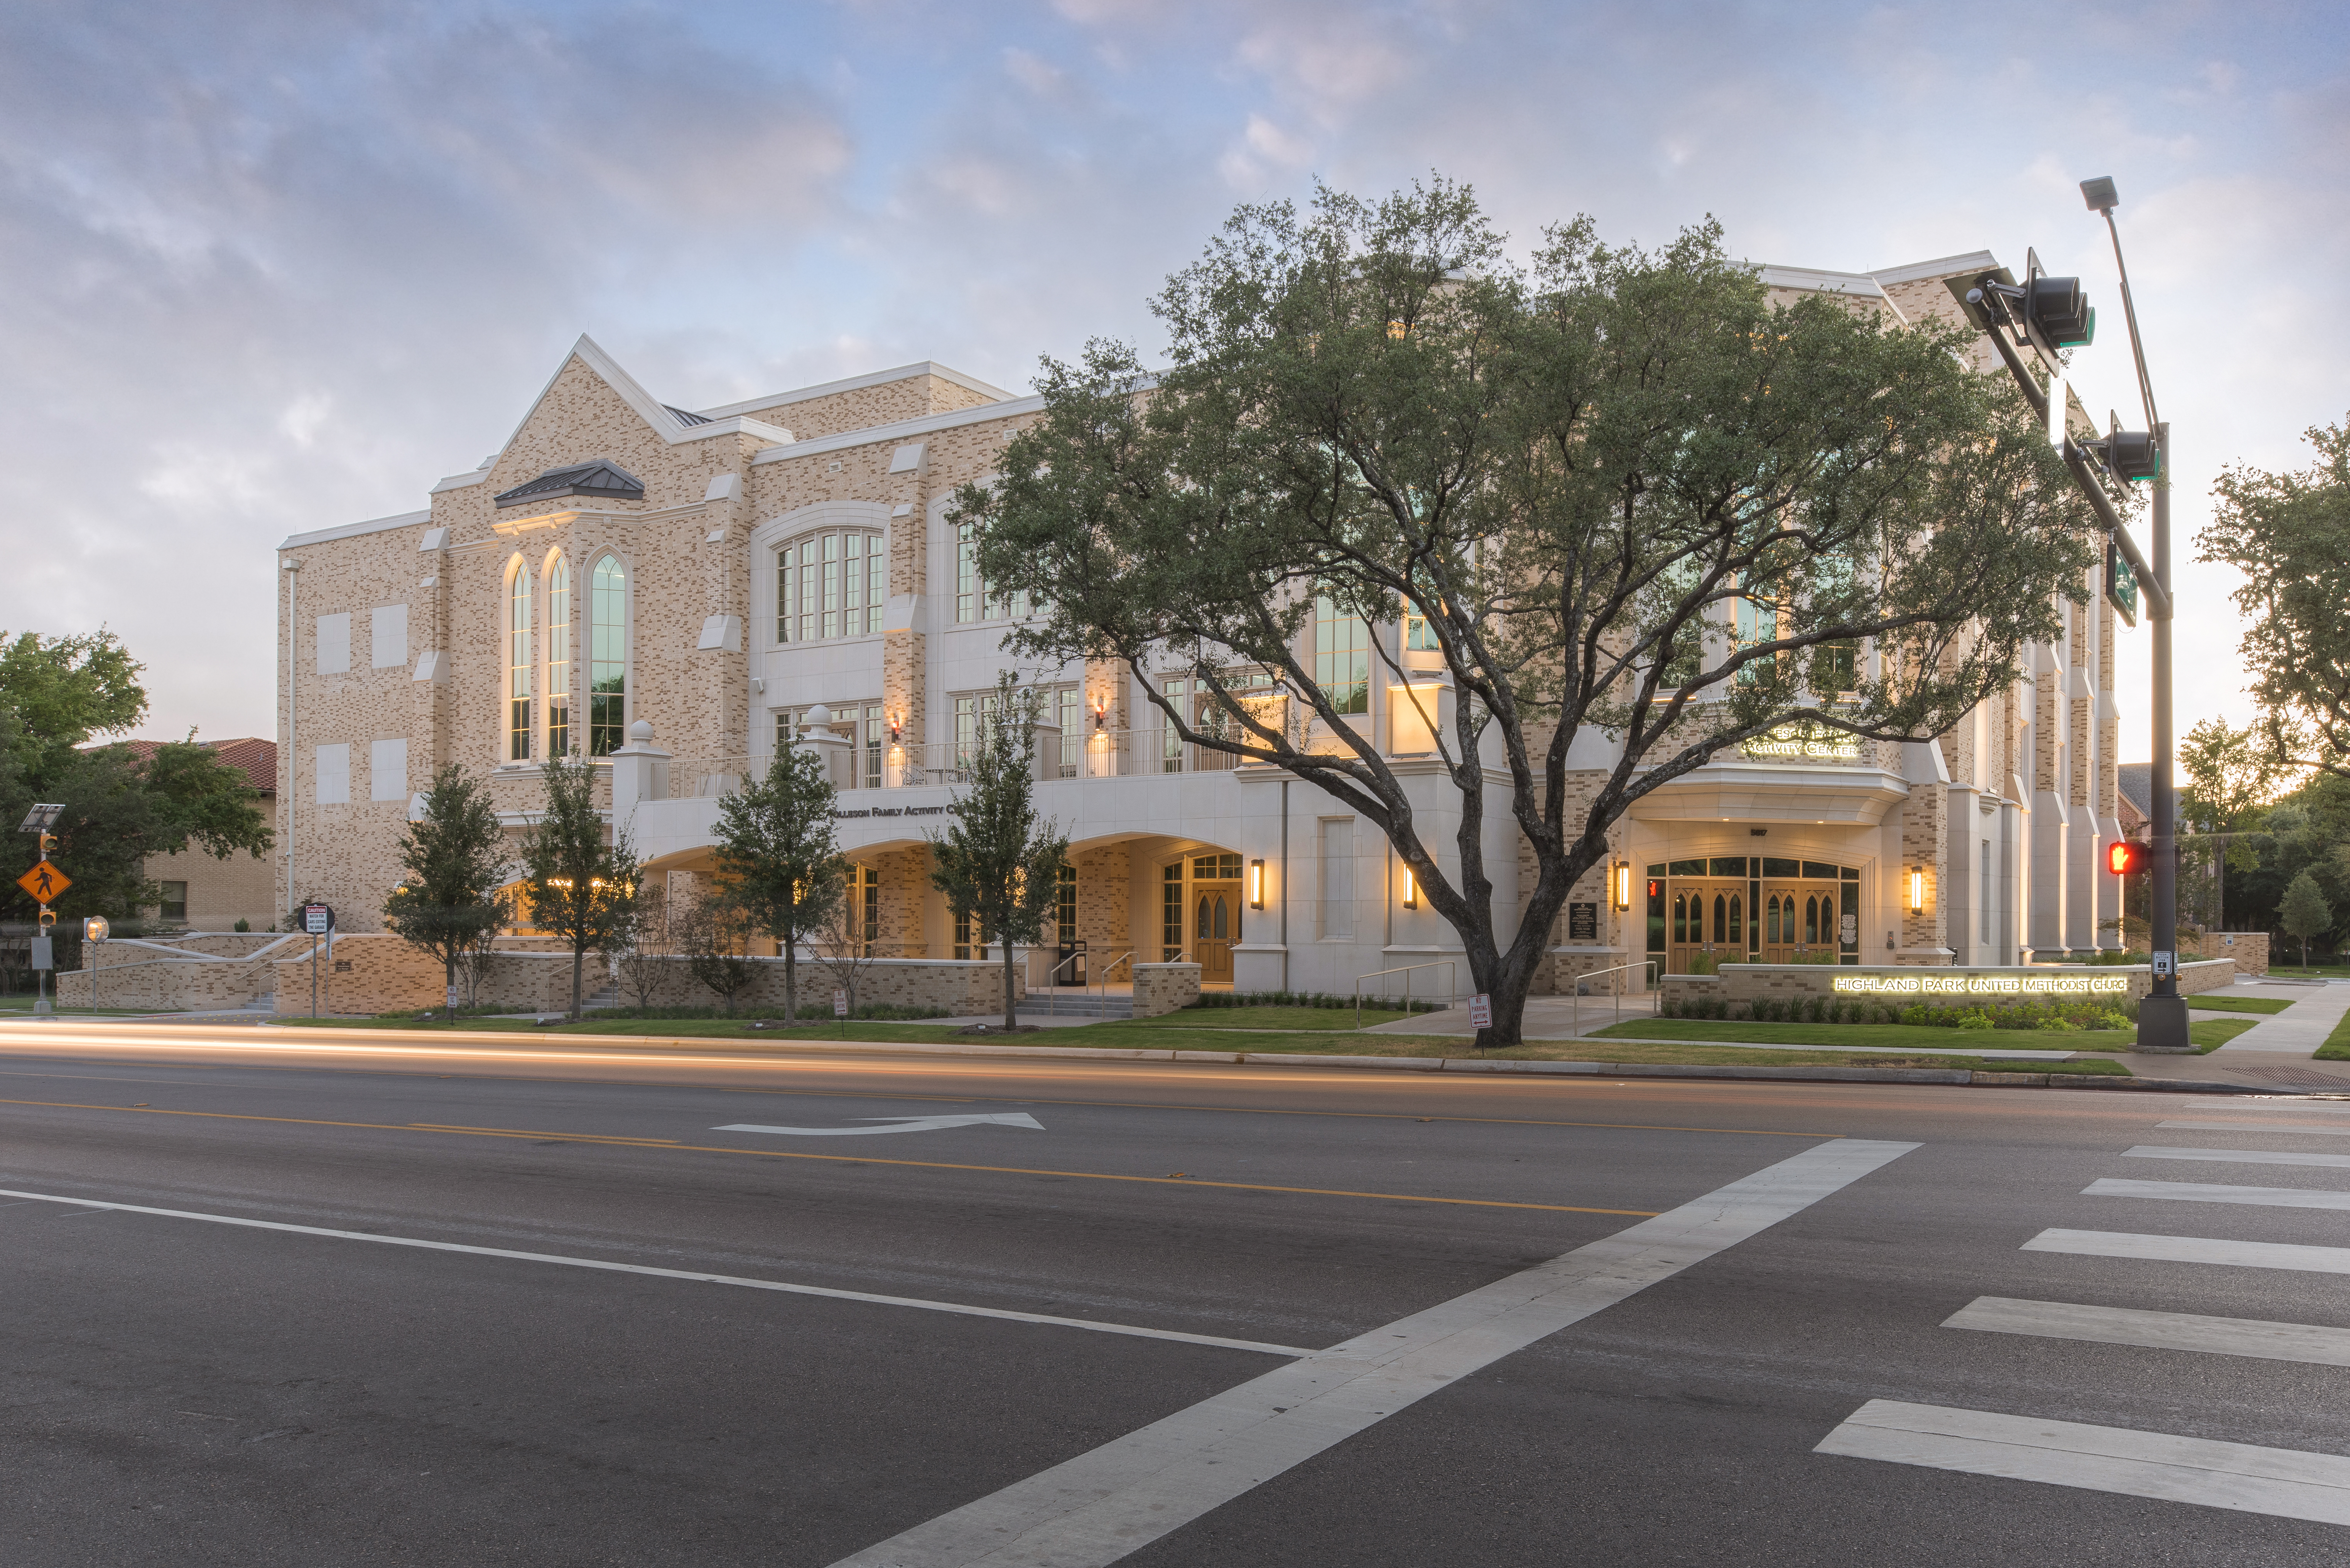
x=779, y=855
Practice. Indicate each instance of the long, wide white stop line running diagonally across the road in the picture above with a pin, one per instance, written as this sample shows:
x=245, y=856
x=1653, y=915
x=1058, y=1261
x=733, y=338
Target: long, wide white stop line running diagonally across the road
x=1146, y=1485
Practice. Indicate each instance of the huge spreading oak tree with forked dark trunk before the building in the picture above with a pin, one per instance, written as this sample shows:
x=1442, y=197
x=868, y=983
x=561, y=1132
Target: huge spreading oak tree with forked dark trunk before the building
x=1620, y=497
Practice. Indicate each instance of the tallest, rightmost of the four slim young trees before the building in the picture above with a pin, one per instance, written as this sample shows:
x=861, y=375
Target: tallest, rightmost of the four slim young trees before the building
x=1000, y=864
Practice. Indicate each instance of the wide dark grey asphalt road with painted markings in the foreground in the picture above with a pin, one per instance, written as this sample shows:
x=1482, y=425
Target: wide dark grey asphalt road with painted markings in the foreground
x=189, y=1391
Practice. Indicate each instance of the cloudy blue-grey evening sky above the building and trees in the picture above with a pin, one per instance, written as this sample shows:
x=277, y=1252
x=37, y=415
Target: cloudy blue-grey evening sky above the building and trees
x=281, y=267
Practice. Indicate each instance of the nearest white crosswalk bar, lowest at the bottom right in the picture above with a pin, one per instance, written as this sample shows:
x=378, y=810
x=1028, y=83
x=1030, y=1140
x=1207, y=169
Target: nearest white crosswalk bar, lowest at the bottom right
x=2241, y=1477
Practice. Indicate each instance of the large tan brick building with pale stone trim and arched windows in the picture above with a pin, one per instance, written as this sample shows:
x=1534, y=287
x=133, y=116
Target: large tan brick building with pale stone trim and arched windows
x=676, y=594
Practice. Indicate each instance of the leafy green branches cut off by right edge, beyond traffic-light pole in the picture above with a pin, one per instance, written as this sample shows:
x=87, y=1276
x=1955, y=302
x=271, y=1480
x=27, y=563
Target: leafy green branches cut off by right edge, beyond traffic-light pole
x=2290, y=537
